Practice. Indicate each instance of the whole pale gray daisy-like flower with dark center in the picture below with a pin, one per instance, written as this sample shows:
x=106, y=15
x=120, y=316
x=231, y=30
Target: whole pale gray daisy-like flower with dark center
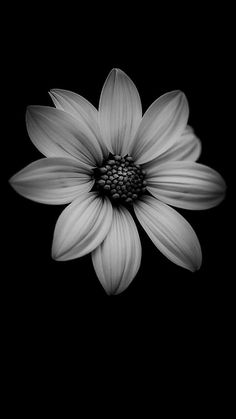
x=103, y=163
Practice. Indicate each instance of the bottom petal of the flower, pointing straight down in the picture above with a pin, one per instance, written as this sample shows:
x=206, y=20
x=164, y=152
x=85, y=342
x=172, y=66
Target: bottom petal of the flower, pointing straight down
x=117, y=259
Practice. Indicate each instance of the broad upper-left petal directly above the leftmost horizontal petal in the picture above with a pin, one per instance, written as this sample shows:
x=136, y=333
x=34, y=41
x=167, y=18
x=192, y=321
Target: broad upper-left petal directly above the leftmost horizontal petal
x=58, y=134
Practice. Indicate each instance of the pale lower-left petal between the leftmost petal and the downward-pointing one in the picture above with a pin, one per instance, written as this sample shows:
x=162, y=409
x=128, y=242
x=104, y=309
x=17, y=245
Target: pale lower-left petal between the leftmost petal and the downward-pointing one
x=81, y=227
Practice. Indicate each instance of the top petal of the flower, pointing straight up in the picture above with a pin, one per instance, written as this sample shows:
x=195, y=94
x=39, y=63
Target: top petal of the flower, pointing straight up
x=120, y=111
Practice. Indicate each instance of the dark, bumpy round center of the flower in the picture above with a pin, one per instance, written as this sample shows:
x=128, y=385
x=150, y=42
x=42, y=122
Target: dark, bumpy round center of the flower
x=120, y=179
